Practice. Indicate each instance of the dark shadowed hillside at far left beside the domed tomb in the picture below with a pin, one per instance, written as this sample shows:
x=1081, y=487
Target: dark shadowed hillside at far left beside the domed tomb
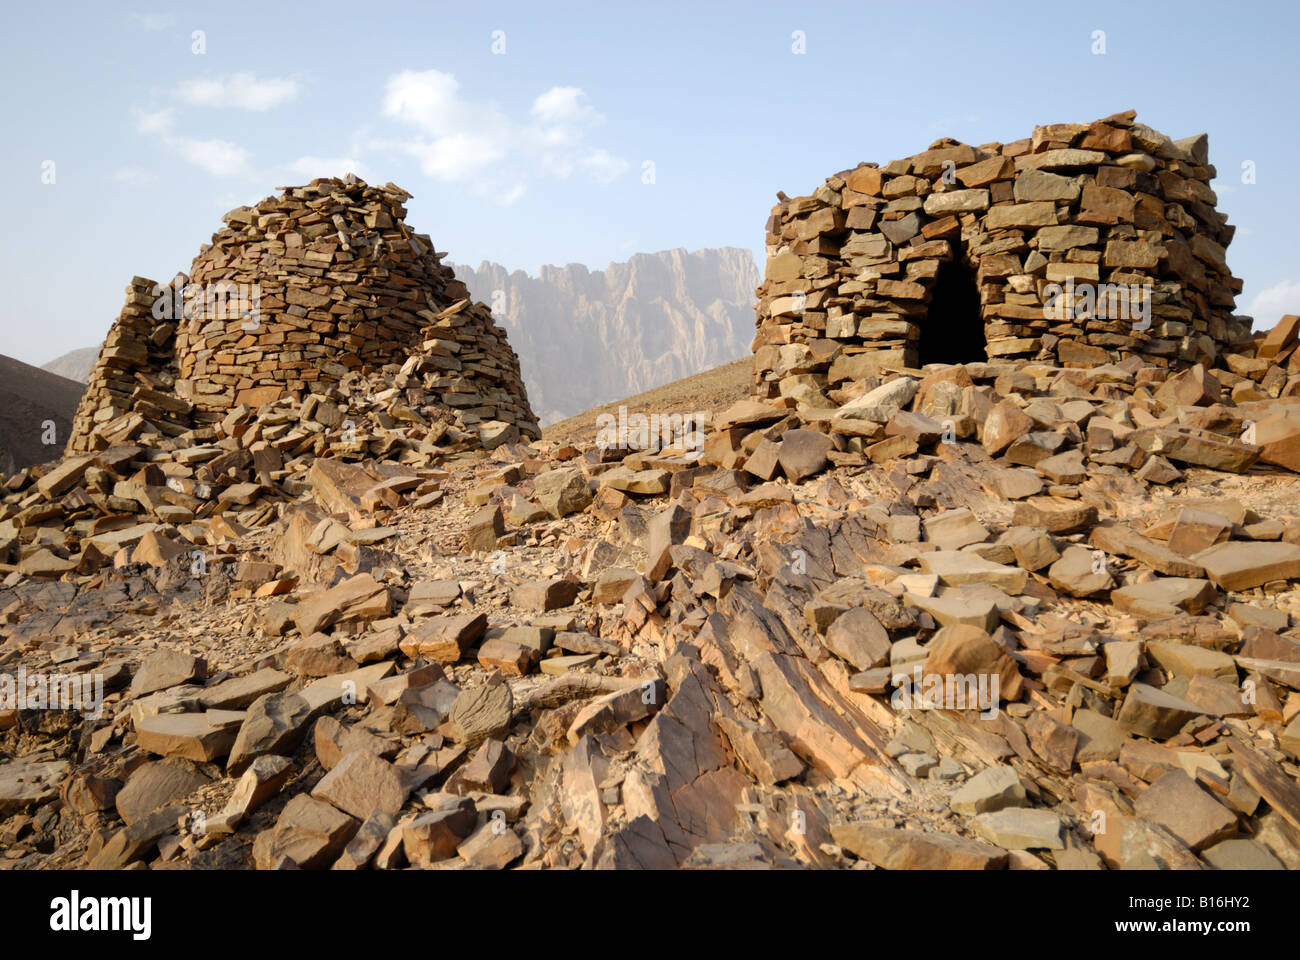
x=31, y=399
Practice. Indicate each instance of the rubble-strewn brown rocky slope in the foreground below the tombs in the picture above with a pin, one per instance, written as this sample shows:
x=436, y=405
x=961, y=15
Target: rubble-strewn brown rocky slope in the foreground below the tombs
x=995, y=616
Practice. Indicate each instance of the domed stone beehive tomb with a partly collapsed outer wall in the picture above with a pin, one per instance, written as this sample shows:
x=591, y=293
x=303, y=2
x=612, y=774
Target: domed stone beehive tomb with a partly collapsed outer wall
x=293, y=296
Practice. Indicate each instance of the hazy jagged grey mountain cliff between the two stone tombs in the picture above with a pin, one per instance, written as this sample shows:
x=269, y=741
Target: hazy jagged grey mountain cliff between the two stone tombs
x=587, y=338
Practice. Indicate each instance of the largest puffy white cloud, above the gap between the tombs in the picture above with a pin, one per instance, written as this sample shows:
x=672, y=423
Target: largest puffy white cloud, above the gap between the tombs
x=463, y=141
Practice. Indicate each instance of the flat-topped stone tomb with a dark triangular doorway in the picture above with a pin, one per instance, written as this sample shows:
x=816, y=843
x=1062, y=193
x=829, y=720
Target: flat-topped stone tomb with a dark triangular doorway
x=1084, y=245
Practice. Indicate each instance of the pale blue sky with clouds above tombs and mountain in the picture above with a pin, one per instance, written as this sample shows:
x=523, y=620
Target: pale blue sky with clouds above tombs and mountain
x=539, y=154
